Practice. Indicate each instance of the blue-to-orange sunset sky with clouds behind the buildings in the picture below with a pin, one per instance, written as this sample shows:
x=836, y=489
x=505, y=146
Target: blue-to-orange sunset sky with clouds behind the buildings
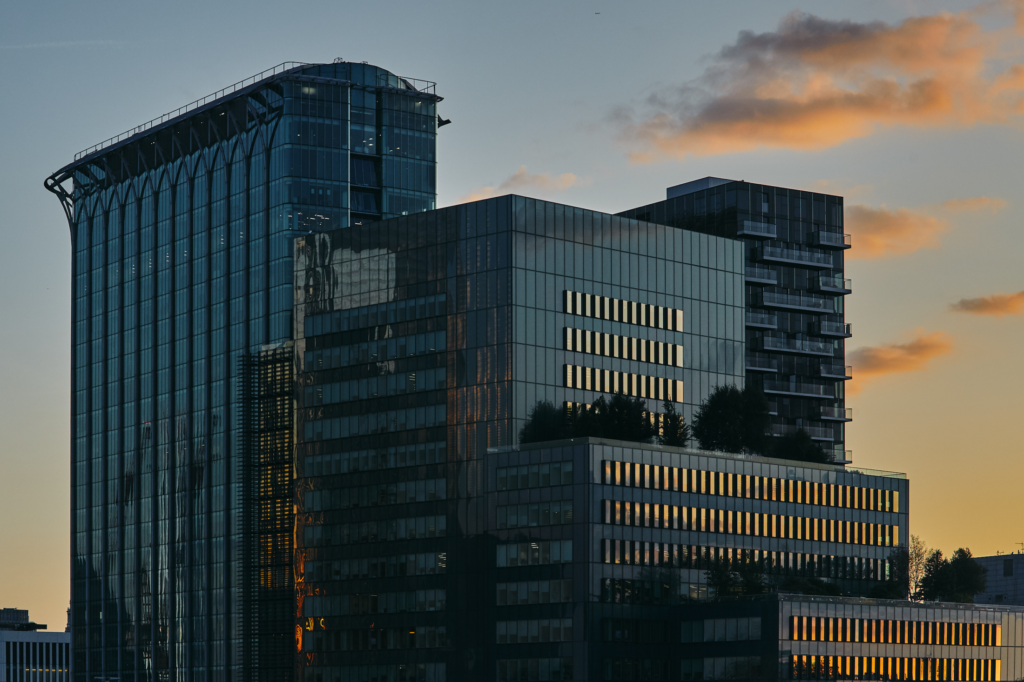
x=913, y=111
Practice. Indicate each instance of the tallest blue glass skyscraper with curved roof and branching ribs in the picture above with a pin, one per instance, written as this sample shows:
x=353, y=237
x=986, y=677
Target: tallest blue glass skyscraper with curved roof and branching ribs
x=182, y=233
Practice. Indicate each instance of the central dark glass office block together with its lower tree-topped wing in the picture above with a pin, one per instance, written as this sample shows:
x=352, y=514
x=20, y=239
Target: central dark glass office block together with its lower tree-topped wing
x=423, y=343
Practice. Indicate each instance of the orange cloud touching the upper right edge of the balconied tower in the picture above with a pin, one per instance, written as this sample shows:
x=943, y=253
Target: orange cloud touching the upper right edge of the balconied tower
x=879, y=233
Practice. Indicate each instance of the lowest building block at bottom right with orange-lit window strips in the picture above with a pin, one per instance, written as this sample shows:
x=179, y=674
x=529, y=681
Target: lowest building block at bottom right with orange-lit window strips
x=798, y=637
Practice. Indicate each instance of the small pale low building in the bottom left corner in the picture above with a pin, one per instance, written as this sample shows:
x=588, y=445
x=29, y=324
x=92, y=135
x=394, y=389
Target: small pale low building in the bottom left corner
x=28, y=654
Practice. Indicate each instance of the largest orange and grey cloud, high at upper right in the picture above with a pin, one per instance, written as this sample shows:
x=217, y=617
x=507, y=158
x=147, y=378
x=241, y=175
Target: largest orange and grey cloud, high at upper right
x=816, y=83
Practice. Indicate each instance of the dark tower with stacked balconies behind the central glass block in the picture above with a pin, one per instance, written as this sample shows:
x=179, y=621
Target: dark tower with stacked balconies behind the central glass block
x=795, y=286
